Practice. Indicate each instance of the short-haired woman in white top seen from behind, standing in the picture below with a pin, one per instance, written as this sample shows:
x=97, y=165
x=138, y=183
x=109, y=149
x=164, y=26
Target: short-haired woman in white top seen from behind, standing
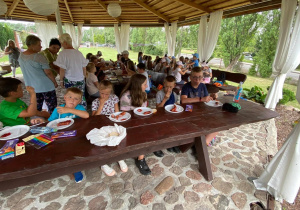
x=72, y=66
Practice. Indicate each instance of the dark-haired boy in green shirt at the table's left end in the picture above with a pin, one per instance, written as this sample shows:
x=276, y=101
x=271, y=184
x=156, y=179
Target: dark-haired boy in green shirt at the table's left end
x=13, y=111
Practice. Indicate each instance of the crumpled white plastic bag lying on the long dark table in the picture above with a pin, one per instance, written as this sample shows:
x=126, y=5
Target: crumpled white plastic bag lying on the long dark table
x=101, y=137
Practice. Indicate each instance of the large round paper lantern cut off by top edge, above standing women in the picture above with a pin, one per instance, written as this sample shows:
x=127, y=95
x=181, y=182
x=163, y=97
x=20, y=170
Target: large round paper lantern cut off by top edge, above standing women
x=45, y=7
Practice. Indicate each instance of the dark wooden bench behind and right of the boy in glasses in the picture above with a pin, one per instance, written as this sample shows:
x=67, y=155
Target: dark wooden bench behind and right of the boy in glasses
x=229, y=76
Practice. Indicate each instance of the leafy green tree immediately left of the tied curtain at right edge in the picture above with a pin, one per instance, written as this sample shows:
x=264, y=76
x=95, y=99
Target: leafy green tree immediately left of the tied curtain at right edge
x=267, y=42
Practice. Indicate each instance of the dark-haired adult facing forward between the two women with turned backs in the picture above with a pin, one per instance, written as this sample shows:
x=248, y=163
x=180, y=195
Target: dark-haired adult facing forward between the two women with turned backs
x=51, y=55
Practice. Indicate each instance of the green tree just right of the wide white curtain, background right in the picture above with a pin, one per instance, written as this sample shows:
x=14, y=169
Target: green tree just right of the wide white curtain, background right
x=236, y=34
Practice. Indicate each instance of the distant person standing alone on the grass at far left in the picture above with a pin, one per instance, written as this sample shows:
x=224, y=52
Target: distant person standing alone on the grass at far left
x=13, y=54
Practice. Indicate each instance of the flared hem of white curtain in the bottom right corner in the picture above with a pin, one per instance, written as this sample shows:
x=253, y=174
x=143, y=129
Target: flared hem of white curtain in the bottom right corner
x=281, y=177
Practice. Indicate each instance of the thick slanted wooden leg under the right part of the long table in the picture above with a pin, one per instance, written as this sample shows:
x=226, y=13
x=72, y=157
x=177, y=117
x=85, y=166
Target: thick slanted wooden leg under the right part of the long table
x=203, y=158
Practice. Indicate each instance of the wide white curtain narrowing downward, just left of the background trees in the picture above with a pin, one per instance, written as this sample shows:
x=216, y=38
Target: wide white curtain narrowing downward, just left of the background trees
x=208, y=34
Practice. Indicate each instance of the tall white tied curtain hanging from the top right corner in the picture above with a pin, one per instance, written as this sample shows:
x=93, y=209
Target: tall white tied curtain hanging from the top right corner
x=287, y=56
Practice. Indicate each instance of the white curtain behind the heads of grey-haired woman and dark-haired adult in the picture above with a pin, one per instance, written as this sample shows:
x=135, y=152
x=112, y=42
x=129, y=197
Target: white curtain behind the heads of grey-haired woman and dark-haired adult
x=46, y=30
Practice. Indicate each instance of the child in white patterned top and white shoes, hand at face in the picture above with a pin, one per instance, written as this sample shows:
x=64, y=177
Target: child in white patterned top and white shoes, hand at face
x=107, y=104
